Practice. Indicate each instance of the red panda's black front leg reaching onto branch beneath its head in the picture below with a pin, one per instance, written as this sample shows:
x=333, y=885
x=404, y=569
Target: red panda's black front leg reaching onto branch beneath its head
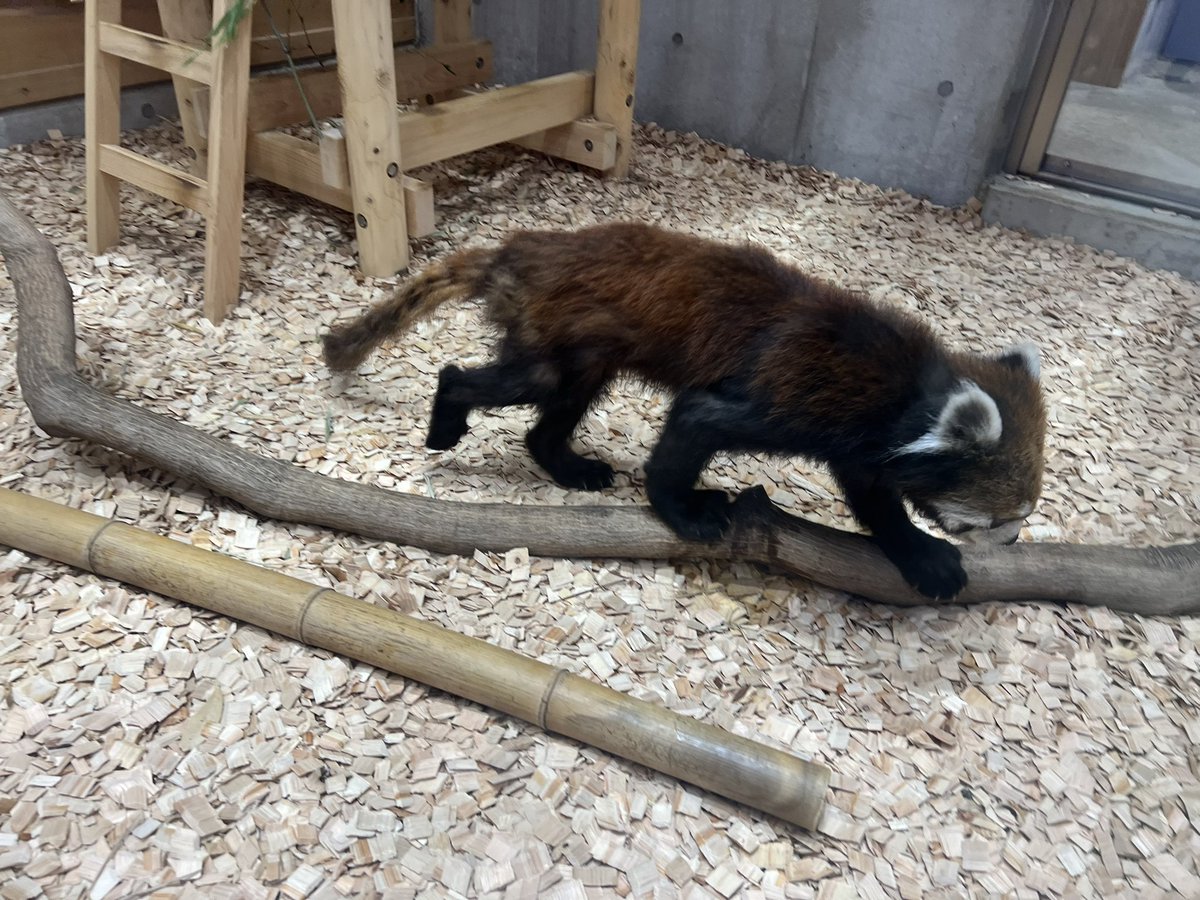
x=932, y=566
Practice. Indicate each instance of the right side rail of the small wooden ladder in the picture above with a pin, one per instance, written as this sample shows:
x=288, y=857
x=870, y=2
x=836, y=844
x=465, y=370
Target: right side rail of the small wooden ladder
x=227, y=170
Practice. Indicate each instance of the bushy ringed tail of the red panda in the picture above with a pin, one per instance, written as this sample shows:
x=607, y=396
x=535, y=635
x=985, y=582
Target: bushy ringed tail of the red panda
x=457, y=278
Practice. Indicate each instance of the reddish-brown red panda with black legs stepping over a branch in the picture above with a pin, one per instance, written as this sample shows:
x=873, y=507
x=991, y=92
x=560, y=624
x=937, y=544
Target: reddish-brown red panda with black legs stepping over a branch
x=760, y=358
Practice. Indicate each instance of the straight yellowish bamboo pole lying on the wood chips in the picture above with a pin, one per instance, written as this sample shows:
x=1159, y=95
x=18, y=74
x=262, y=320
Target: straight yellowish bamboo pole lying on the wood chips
x=735, y=767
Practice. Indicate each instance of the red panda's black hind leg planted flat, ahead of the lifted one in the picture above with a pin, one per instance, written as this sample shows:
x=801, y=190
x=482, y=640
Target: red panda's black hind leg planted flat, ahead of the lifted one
x=549, y=441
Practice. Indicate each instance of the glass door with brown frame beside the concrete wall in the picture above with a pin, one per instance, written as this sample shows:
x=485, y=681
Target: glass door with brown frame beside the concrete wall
x=1117, y=107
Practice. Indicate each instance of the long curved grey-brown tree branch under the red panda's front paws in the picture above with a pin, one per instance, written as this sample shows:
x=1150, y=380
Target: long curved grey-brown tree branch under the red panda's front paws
x=1153, y=581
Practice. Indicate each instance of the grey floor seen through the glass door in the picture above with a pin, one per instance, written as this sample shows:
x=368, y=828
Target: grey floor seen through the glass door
x=1143, y=137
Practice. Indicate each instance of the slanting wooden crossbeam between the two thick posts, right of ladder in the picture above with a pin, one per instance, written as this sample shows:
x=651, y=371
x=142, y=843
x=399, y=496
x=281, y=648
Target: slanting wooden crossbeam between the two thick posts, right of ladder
x=481, y=121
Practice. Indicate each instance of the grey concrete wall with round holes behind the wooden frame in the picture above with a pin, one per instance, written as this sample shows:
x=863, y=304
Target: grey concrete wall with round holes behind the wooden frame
x=914, y=94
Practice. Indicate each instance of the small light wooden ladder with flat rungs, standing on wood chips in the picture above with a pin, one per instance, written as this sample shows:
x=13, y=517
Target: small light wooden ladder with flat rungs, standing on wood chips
x=219, y=195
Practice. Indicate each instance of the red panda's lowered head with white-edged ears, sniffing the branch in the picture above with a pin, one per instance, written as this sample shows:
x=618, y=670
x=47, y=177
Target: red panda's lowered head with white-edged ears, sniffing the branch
x=977, y=470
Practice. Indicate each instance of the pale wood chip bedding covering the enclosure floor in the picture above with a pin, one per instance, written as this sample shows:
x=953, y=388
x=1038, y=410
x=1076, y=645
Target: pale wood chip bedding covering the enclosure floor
x=148, y=749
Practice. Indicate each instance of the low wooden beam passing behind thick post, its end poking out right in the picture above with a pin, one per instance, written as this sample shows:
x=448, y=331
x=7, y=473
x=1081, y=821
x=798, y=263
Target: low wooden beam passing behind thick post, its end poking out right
x=296, y=164
